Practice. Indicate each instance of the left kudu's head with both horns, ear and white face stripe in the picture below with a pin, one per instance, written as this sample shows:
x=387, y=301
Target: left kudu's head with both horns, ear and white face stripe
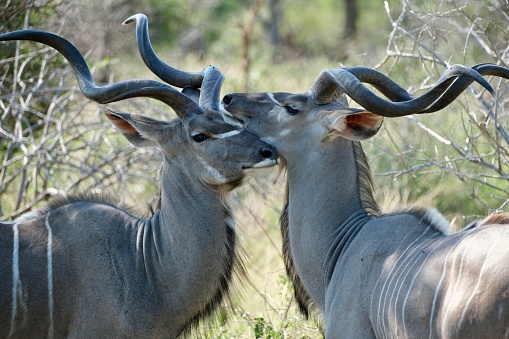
x=212, y=150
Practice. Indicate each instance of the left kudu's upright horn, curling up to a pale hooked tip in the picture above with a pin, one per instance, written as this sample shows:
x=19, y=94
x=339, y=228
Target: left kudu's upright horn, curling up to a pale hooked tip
x=165, y=72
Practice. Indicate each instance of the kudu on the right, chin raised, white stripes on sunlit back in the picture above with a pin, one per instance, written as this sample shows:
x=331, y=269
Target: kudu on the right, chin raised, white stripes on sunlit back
x=370, y=273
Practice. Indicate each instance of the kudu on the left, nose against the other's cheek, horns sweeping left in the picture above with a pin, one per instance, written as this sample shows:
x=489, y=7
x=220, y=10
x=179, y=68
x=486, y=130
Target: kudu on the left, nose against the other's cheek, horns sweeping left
x=81, y=267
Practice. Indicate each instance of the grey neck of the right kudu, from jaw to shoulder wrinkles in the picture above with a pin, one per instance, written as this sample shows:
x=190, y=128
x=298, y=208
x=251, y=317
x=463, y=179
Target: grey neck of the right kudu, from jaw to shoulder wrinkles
x=326, y=209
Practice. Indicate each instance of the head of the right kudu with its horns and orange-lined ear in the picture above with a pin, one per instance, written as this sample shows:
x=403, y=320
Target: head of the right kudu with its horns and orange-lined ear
x=293, y=121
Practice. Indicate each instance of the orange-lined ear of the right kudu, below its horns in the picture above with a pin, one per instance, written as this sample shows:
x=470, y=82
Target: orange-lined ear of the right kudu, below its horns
x=353, y=124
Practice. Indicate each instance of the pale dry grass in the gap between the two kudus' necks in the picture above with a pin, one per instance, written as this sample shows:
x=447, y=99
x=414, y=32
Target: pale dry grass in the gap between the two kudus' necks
x=265, y=307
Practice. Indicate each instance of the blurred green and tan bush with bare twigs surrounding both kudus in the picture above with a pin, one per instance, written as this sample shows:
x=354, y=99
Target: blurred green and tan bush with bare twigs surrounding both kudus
x=53, y=140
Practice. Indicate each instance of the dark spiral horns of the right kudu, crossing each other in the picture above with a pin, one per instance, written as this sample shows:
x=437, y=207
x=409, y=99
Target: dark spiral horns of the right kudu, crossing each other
x=349, y=81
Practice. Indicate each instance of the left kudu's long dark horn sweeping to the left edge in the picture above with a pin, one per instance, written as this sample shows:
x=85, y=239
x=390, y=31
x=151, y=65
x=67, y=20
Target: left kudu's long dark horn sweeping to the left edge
x=181, y=104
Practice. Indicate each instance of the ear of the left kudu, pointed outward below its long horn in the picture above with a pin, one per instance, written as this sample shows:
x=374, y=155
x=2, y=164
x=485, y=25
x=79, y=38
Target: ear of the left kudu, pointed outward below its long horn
x=139, y=130
